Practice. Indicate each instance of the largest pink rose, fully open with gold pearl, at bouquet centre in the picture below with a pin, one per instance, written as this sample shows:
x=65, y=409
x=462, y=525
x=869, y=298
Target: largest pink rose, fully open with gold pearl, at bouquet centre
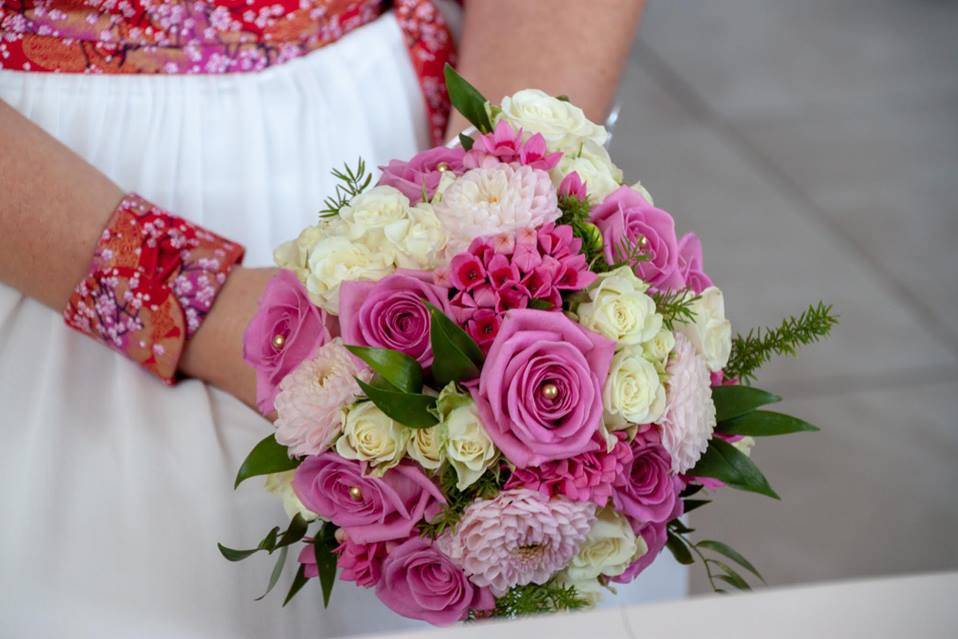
x=540, y=391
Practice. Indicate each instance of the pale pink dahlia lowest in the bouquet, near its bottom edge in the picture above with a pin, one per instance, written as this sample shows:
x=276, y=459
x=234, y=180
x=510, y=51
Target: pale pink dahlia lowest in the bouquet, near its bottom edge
x=520, y=537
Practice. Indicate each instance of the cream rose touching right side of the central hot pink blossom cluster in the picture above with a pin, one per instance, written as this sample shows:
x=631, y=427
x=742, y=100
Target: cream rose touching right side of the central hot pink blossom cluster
x=619, y=308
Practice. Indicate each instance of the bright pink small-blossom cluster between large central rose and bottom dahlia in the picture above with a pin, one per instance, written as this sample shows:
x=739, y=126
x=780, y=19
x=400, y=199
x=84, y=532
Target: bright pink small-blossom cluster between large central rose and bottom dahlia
x=585, y=477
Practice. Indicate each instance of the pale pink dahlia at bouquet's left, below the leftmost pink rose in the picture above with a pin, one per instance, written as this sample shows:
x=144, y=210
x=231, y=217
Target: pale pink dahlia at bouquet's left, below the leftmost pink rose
x=311, y=398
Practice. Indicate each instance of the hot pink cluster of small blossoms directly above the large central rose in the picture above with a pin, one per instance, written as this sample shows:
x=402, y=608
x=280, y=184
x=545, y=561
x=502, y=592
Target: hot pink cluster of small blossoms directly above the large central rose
x=514, y=270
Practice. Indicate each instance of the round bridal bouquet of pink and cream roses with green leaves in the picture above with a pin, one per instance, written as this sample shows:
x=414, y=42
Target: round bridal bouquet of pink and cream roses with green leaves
x=500, y=378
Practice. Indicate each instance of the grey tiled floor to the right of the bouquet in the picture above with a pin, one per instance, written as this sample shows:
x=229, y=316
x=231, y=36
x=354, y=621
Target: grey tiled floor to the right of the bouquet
x=813, y=145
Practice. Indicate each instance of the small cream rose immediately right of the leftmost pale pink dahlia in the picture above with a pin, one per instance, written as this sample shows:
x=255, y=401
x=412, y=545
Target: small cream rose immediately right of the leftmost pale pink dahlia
x=372, y=436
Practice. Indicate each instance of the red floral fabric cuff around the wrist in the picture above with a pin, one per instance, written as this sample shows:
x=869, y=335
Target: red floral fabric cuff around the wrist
x=152, y=281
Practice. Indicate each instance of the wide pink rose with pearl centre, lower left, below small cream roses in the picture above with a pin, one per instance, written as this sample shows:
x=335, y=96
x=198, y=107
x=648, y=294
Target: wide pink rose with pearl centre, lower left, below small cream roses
x=369, y=509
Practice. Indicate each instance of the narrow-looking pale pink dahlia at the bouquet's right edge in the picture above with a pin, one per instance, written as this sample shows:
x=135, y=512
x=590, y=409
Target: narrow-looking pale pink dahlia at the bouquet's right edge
x=690, y=416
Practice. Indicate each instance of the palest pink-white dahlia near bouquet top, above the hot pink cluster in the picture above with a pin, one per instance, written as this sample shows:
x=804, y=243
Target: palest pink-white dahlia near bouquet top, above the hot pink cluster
x=498, y=199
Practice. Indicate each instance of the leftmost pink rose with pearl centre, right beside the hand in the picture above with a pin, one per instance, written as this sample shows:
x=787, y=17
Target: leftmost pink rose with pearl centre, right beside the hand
x=286, y=330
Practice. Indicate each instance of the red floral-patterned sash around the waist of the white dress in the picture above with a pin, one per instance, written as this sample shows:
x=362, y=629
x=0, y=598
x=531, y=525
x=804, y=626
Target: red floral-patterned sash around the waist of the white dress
x=211, y=36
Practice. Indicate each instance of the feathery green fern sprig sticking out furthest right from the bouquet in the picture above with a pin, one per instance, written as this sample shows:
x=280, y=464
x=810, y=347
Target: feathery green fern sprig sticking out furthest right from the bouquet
x=751, y=351
